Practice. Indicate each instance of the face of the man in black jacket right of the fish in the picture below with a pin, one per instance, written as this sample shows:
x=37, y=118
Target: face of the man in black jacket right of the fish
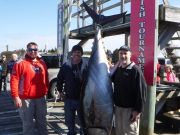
x=125, y=57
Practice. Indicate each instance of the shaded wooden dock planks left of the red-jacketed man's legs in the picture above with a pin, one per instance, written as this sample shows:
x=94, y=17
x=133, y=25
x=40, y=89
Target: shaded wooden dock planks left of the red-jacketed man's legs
x=10, y=122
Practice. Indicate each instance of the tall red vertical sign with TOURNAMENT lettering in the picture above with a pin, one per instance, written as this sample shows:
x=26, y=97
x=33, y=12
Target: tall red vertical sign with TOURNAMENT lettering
x=143, y=31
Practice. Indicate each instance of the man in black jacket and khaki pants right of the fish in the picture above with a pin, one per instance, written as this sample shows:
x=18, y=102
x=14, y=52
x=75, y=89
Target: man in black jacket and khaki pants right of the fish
x=129, y=93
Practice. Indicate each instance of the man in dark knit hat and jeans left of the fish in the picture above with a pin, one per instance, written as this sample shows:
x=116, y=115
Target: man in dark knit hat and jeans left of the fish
x=71, y=77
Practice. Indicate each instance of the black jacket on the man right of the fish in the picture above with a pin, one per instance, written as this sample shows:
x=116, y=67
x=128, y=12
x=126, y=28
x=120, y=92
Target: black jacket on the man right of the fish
x=130, y=87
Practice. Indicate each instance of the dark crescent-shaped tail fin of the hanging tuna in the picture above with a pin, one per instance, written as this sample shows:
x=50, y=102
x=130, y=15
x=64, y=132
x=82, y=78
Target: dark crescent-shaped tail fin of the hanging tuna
x=101, y=19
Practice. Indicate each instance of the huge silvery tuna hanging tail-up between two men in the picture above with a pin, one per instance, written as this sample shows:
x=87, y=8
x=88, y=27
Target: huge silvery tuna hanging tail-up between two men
x=97, y=101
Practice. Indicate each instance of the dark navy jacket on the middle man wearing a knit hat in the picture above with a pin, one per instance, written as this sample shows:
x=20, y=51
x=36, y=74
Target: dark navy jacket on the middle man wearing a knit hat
x=70, y=79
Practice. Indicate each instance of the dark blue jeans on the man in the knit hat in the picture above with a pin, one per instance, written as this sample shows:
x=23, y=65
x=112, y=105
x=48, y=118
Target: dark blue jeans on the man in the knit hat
x=71, y=107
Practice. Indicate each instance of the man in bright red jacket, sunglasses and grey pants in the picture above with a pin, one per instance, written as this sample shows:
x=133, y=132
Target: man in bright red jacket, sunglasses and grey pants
x=29, y=85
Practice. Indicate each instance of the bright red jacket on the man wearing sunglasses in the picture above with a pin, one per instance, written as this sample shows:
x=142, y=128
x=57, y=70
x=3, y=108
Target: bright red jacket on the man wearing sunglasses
x=29, y=79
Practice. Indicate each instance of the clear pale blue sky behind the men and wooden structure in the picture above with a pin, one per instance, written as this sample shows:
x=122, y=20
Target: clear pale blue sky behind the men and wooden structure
x=22, y=21
